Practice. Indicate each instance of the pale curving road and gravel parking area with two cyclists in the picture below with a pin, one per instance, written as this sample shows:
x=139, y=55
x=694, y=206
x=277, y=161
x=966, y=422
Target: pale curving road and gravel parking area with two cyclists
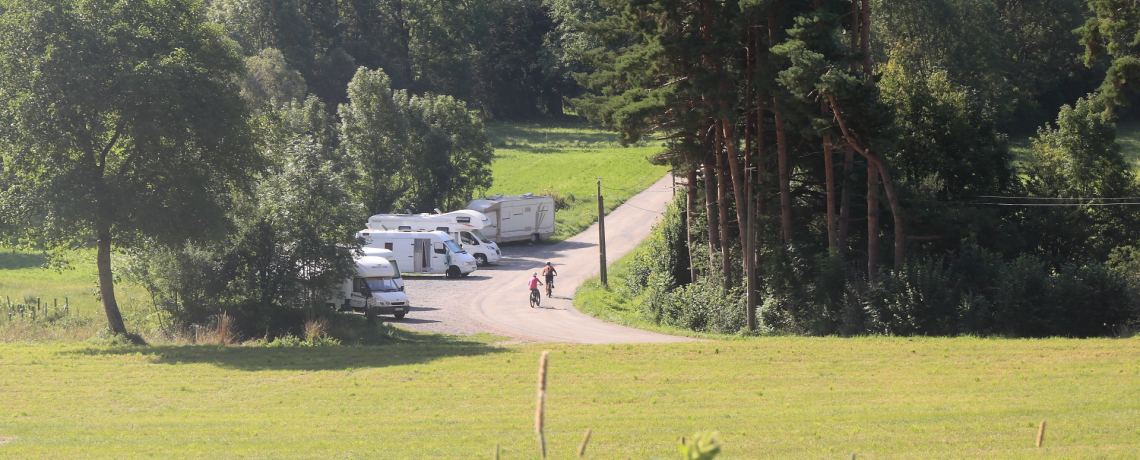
x=495, y=300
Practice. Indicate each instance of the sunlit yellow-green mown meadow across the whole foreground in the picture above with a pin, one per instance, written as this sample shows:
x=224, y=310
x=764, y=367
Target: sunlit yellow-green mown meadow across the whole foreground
x=438, y=398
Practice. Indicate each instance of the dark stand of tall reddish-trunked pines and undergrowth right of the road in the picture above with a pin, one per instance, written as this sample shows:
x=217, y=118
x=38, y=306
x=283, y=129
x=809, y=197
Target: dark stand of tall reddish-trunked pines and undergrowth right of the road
x=800, y=122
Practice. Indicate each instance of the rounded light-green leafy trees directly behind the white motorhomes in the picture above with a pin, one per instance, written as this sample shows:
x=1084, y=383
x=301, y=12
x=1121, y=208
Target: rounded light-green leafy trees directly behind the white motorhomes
x=412, y=152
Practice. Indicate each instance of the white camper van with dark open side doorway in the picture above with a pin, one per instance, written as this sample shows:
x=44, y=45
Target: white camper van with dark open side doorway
x=422, y=252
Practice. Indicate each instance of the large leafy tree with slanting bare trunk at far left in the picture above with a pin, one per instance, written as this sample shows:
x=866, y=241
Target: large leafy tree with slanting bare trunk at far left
x=124, y=121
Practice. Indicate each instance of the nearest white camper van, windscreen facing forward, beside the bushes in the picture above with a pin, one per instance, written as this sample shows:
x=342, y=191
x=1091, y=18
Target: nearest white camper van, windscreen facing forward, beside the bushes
x=373, y=287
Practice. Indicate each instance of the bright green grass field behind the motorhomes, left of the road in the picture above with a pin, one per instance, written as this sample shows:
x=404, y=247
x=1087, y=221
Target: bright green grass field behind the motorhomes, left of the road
x=564, y=159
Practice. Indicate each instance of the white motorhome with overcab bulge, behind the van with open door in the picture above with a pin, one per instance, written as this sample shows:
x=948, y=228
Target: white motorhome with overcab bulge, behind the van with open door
x=463, y=226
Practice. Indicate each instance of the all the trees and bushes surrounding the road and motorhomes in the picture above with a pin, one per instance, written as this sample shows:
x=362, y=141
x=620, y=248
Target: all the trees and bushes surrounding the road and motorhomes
x=849, y=163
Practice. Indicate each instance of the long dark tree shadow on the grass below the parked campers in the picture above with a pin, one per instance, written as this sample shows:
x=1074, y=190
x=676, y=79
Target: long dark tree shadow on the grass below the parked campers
x=405, y=349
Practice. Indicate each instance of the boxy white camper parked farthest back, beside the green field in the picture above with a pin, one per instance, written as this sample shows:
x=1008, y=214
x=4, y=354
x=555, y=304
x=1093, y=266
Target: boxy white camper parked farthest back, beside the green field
x=517, y=218
